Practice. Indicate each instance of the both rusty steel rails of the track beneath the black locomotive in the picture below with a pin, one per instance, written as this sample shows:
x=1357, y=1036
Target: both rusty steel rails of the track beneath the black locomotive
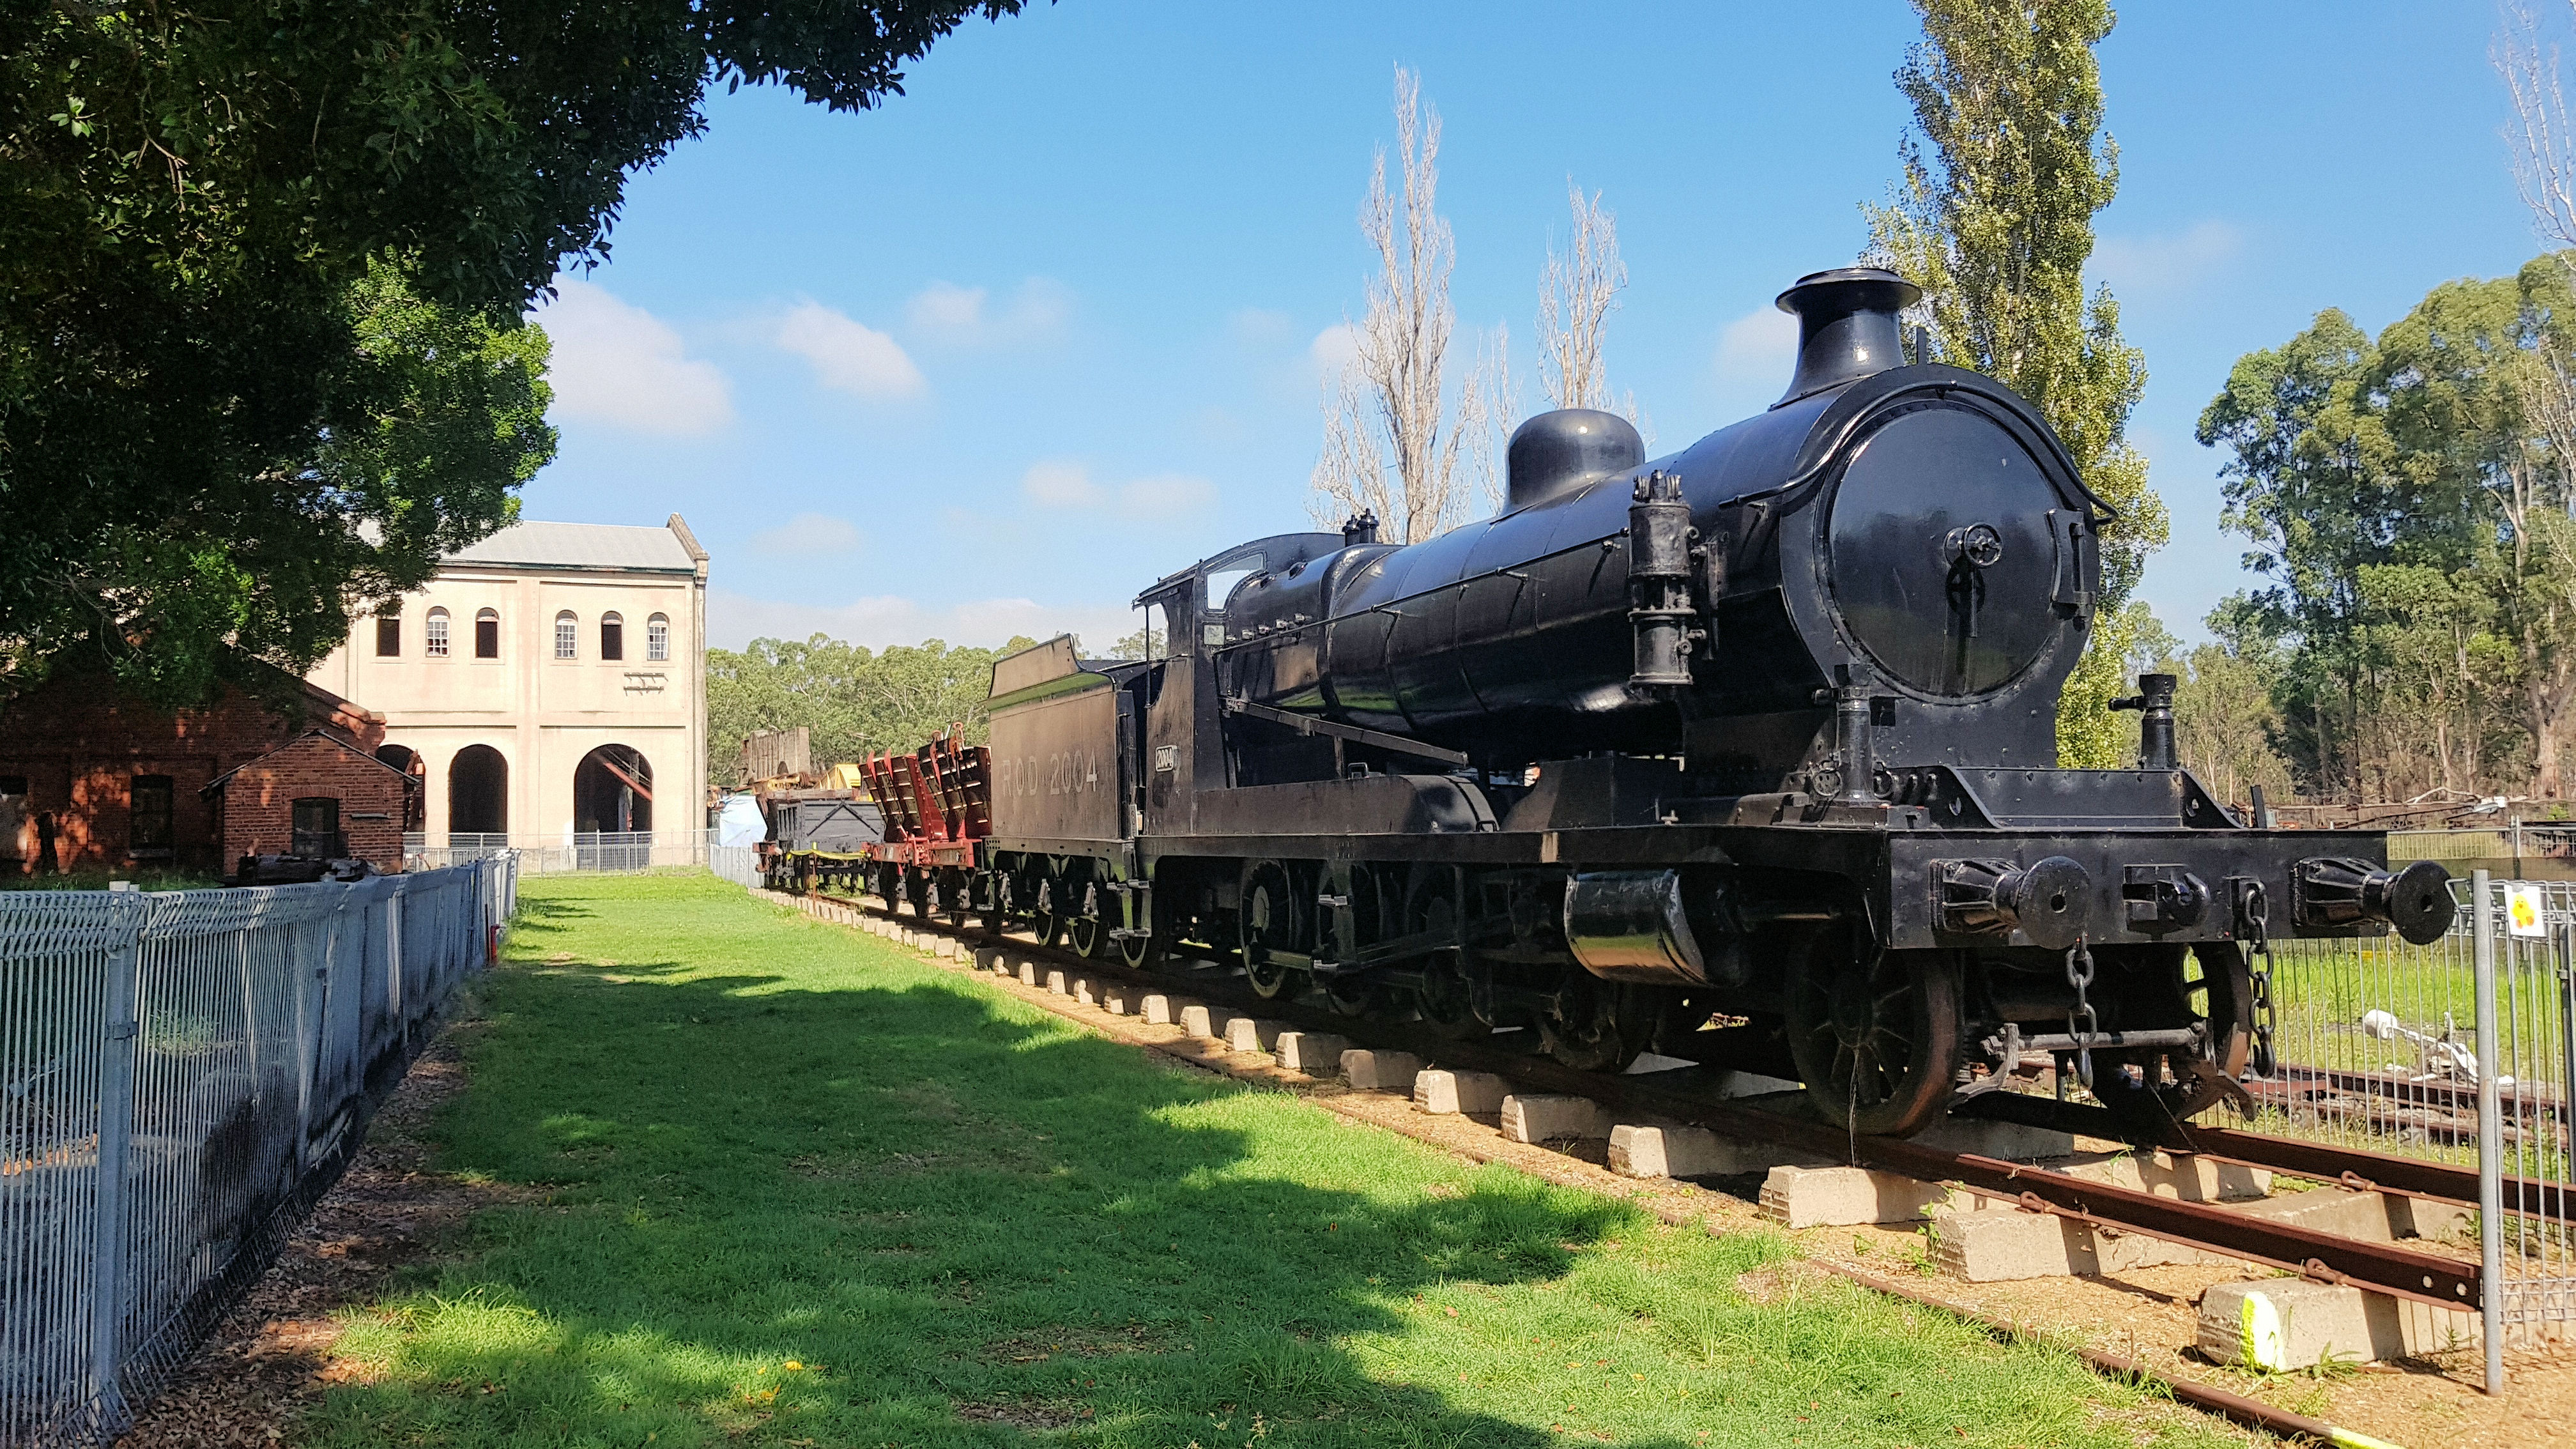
x=1689, y=1097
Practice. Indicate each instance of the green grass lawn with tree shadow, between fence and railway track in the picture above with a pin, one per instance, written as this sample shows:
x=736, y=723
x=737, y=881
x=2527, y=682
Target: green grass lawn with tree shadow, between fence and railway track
x=813, y=1192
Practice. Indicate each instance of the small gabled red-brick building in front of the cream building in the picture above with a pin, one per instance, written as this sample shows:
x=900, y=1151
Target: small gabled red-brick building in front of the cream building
x=316, y=795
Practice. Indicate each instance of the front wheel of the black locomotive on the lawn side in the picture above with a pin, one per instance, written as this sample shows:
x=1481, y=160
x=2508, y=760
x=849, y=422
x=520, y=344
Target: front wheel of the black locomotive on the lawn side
x=1877, y=1038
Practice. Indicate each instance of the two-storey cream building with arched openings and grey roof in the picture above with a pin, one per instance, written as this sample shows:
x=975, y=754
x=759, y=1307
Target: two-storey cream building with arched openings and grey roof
x=547, y=682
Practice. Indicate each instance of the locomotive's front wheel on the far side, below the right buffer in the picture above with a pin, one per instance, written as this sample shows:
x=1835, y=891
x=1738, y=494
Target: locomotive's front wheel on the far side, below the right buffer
x=2155, y=1089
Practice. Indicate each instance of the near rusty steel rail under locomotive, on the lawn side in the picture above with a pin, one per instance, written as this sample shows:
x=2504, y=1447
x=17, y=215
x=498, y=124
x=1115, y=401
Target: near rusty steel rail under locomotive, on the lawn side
x=2379, y=1267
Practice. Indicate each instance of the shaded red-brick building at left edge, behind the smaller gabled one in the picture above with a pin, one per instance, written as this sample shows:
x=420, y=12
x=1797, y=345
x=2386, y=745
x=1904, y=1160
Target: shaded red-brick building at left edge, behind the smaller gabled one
x=94, y=777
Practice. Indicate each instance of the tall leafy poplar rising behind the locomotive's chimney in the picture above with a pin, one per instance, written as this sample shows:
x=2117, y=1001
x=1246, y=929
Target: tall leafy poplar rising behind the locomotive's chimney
x=2005, y=171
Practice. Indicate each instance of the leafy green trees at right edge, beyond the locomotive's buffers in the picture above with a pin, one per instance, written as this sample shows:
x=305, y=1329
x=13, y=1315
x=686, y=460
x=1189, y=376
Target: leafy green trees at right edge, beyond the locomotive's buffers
x=2410, y=509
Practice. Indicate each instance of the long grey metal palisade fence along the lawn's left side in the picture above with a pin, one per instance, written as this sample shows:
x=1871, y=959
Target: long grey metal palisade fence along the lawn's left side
x=182, y=1076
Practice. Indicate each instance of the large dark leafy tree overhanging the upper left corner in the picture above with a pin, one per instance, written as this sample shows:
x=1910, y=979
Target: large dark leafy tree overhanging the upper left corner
x=264, y=269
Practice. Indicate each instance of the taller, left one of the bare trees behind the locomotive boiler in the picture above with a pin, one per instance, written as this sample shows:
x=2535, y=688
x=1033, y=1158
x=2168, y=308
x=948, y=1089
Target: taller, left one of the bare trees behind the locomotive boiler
x=1390, y=440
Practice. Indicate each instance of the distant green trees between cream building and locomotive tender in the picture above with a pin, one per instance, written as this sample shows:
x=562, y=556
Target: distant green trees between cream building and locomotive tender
x=851, y=700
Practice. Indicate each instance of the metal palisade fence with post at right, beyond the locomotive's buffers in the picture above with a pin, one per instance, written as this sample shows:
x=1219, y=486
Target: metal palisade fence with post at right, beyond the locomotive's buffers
x=2459, y=1051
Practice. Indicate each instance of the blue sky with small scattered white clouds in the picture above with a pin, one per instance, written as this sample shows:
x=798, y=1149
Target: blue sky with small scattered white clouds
x=1047, y=326
